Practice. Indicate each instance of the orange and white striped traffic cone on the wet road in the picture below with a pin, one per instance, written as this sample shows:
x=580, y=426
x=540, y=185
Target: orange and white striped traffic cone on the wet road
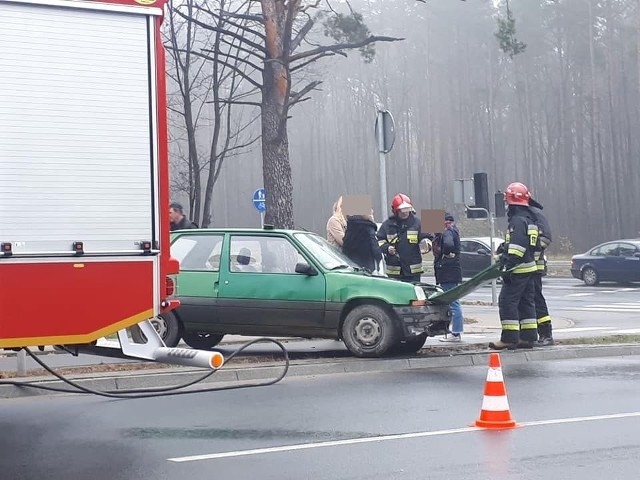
x=495, y=412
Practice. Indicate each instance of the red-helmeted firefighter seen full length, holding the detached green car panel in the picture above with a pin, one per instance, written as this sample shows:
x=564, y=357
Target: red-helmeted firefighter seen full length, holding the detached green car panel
x=516, y=300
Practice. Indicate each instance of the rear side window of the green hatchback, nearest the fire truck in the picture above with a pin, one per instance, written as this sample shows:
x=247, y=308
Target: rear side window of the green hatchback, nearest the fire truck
x=198, y=252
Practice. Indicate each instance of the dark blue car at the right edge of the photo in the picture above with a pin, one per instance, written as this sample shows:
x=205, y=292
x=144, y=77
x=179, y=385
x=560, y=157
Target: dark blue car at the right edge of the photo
x=615, y=261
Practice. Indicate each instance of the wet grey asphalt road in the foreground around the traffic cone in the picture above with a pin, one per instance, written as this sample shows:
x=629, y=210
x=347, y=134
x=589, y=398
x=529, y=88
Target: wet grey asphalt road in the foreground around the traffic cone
x=578, y=420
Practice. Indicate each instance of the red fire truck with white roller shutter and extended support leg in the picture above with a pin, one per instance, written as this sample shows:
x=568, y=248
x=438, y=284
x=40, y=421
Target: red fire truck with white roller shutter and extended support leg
x=84, y=184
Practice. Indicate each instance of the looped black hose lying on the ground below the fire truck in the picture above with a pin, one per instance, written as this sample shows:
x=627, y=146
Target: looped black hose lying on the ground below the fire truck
x=154, y=392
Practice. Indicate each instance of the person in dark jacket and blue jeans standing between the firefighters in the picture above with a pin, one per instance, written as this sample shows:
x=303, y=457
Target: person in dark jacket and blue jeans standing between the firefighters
x=446, y=265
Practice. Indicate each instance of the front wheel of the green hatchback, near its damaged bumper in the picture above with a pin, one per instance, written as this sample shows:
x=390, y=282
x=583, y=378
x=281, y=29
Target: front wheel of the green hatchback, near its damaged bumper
x=369, y=331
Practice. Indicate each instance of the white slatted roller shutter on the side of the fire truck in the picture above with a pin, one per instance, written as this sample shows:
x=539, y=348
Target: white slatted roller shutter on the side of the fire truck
x=76, y=129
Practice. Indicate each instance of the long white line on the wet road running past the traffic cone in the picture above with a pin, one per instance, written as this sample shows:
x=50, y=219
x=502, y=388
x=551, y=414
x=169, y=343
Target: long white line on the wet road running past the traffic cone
x=385, y=438
